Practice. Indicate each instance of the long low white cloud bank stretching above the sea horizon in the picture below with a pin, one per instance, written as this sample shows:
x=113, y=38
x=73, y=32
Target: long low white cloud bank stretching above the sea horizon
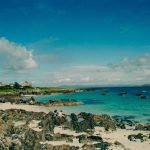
x=128, y=71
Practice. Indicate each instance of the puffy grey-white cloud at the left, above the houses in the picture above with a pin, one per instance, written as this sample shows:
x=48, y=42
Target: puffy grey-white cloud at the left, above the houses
x=19, y=58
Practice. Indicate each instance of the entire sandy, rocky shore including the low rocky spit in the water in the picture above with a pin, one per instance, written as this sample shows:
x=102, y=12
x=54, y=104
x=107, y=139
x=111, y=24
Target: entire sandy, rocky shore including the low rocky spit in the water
x=81, y=131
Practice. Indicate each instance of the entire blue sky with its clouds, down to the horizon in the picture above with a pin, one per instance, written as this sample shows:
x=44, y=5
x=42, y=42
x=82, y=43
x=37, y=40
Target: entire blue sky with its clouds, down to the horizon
x=75, y=42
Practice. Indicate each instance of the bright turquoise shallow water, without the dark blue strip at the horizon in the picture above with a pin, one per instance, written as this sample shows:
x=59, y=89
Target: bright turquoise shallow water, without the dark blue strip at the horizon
x=113, y=104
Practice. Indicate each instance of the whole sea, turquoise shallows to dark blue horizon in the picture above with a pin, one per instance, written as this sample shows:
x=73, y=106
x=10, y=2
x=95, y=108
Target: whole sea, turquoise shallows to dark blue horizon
x=114, y=101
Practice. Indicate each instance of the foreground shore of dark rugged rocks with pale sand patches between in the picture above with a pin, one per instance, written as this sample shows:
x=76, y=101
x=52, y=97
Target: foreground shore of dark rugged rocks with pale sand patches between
x=28, y=130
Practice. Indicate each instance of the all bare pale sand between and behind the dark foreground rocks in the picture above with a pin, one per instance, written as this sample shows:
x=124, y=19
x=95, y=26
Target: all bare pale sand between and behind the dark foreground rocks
x=120, y=135
